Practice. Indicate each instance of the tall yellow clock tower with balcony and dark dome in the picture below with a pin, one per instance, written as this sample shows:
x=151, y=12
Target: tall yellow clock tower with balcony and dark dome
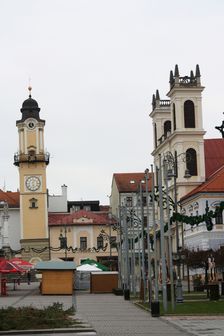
x=32, y=161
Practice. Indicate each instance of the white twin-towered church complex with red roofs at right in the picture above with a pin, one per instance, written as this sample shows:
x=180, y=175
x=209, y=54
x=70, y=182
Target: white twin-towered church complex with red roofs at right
x=179, y=141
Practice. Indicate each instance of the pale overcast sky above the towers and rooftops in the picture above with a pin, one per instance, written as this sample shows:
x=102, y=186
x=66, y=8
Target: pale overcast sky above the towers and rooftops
x=94, y=65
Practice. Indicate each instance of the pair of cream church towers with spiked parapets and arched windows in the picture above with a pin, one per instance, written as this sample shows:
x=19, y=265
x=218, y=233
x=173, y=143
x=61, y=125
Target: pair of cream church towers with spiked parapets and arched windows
x=178, y=128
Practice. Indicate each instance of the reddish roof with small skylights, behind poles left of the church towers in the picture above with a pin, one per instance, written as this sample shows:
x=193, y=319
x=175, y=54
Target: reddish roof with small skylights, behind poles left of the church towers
x=129, y=182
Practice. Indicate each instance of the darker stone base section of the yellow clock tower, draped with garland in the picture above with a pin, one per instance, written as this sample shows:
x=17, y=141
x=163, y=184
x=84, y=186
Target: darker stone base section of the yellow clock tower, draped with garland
x=35, y=249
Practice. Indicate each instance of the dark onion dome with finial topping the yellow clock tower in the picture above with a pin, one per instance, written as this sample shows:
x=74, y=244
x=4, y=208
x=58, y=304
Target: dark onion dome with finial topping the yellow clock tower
x=30, y=108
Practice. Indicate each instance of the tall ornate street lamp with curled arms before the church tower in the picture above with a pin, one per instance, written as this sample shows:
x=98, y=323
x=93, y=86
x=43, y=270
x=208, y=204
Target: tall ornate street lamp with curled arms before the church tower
x=171, y=165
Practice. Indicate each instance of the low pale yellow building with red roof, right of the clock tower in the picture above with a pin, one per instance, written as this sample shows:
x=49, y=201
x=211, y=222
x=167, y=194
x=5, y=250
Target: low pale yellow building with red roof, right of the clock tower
x=83, y=235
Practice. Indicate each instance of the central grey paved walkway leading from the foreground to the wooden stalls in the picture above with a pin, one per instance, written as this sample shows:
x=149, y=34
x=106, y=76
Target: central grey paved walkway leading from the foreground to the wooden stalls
x=111, y=315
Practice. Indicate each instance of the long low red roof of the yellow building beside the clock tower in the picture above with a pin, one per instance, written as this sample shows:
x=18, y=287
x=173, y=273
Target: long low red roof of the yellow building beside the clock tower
x=81, y=217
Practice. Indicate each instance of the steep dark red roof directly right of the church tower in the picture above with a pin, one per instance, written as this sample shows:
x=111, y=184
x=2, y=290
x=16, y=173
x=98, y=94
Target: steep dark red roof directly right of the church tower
x=214, y=155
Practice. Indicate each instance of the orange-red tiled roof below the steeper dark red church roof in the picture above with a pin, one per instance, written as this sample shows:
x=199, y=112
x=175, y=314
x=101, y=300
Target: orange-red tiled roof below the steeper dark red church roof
x=214, y=184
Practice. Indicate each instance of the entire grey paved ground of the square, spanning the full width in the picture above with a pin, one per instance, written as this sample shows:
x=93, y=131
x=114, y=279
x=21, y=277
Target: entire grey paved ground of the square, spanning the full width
x=111, y=315
